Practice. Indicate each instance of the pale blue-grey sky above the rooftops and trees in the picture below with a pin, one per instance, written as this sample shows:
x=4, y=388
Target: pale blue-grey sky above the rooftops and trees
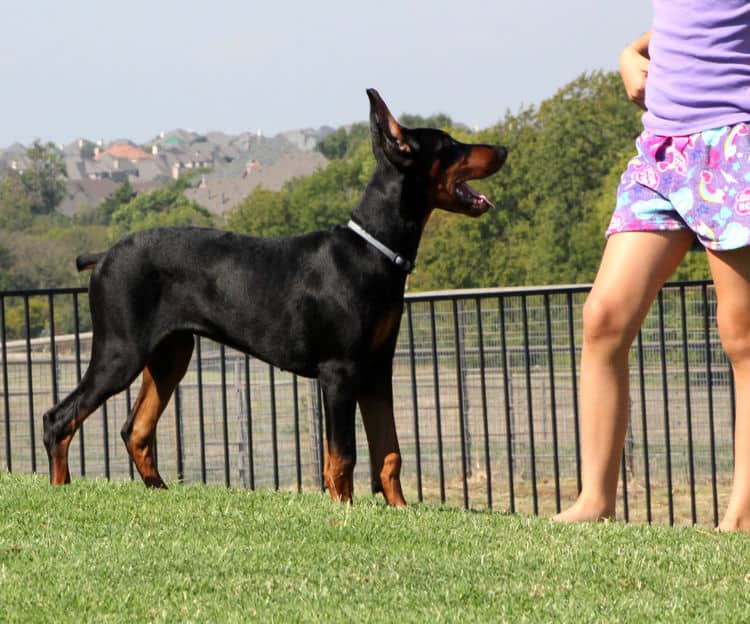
x=106, y=70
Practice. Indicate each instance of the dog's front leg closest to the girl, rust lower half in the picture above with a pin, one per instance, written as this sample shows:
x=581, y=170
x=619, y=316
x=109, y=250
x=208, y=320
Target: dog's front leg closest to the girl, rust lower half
x=376, y=406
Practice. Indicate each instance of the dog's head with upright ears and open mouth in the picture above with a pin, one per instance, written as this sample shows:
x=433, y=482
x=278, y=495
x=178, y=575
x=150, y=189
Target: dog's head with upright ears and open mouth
x=434, y=156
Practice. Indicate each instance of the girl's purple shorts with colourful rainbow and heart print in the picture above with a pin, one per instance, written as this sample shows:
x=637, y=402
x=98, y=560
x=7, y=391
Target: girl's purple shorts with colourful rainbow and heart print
x=700, y=182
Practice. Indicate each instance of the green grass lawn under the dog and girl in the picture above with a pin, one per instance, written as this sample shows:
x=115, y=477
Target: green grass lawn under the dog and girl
x=99, y=551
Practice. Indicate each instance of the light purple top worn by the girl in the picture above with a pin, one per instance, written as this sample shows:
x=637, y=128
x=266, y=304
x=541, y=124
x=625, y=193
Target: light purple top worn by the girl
x=699, y=74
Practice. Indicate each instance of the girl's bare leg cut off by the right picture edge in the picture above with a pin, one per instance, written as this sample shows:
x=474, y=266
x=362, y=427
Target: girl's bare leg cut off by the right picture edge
x=731, y=273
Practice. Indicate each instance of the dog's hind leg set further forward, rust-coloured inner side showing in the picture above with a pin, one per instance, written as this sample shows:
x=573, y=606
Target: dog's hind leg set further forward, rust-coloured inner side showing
x=166, y=366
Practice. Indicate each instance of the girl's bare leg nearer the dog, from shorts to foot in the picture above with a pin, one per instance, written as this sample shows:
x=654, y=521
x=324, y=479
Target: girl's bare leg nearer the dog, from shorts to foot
x=634, y=267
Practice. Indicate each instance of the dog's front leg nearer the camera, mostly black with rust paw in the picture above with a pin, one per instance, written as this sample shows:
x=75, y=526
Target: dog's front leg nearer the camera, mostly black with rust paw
x=340, y=446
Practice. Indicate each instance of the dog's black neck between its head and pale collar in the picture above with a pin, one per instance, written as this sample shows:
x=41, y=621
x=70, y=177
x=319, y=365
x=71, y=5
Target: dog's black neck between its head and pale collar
x=390, y=212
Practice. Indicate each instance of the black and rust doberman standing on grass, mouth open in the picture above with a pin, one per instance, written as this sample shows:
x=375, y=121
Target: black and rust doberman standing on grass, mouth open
x=326, y=305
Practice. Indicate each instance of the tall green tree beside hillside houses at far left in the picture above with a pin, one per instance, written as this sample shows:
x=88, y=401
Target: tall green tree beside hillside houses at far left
x=44, y=179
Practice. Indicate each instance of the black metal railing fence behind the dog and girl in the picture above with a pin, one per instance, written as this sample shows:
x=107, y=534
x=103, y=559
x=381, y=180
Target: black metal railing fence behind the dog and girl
x=485, y=384
